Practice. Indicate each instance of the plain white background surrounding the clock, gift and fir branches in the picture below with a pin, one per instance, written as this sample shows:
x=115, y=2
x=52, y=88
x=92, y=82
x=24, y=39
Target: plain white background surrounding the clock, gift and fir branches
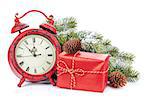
x=125, y=22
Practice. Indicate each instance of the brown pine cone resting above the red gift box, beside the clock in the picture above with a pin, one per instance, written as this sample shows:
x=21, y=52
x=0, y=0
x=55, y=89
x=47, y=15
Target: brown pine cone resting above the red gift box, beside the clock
x=72, y=46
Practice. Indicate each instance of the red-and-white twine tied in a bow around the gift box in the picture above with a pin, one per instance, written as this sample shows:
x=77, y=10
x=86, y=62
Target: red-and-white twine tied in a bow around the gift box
x=73, y=71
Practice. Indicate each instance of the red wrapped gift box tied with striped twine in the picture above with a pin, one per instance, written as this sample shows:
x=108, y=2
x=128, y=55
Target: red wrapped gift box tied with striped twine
x=83, y=71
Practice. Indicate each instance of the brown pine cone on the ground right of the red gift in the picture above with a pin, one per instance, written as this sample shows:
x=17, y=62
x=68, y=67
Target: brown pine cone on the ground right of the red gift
x=117, y=79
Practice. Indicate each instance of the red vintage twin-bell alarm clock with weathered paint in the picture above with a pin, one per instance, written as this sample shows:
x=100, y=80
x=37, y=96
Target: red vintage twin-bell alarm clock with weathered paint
x=34, y=52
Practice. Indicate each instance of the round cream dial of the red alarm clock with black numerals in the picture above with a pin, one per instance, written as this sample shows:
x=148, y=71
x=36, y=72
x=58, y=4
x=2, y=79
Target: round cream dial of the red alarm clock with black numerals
x=35, y=54
